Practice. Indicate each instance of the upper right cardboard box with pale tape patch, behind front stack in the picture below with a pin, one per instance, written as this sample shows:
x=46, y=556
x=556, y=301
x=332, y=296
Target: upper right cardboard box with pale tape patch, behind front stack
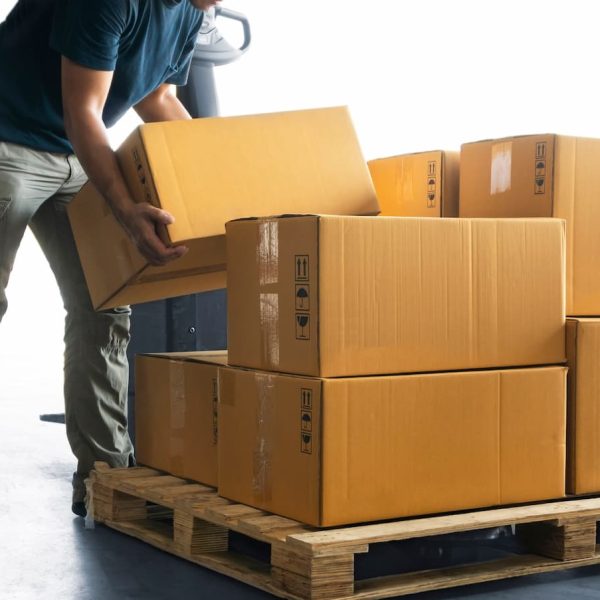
x=542, y=176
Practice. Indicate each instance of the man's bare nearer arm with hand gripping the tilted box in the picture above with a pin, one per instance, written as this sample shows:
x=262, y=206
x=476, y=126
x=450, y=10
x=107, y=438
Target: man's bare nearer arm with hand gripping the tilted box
x=84, y=94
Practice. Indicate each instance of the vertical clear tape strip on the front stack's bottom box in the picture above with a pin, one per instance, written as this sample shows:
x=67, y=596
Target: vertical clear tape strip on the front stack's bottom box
x=261, y=473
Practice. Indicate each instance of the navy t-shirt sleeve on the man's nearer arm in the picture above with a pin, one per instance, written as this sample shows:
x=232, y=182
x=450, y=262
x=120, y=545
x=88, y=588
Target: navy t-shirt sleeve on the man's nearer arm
x=88, y=32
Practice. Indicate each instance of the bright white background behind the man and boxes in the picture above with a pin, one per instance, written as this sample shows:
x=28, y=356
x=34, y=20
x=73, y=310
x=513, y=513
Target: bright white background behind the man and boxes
x=416, y=75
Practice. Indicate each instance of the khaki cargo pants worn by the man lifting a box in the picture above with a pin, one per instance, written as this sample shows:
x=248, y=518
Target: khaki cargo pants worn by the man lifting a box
x=35, y=188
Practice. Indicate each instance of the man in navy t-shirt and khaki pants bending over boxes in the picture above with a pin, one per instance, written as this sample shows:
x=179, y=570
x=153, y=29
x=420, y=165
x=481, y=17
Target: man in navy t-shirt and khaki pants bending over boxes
x=68, y=70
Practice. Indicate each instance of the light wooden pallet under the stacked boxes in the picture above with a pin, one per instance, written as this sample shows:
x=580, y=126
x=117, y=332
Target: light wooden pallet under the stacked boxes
x=193, y=522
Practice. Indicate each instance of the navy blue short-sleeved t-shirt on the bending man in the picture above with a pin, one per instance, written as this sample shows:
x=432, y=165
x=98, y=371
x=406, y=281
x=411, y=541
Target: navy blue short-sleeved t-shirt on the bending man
x=145, y=42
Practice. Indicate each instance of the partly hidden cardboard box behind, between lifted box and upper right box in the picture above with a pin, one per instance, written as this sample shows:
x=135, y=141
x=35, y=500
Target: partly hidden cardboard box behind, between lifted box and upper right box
x=424, y=184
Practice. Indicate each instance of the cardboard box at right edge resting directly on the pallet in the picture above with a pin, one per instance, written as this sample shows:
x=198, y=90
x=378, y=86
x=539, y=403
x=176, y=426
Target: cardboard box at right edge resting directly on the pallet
x=583, y=422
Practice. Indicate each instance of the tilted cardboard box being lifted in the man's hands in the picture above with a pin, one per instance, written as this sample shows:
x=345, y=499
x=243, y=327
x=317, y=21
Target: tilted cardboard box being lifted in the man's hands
x=206, y=172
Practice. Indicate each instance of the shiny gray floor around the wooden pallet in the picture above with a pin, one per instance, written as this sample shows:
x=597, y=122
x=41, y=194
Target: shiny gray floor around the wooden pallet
x=47, y=553
